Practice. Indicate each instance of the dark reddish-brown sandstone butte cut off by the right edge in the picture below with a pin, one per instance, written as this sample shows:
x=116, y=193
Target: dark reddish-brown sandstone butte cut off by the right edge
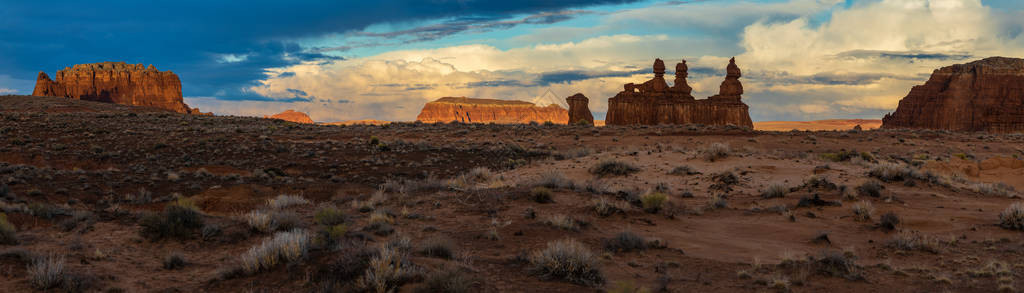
x=984, y=96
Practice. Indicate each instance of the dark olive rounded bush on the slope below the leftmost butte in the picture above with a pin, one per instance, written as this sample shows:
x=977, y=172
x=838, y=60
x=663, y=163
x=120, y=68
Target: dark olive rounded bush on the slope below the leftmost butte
x=180, y=220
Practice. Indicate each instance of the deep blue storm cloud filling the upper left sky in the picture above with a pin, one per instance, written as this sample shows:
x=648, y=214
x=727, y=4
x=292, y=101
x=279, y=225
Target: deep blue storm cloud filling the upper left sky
x=191, y=37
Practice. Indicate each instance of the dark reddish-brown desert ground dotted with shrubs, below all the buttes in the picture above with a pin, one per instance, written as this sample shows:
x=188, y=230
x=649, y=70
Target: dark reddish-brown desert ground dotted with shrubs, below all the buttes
x=105, y=198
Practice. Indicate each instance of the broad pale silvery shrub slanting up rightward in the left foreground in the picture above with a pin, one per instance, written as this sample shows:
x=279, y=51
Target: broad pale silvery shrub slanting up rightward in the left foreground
x=283, y=247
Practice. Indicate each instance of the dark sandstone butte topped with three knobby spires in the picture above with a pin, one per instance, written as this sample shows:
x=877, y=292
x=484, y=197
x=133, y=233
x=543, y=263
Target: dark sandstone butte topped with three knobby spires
x=655, y=103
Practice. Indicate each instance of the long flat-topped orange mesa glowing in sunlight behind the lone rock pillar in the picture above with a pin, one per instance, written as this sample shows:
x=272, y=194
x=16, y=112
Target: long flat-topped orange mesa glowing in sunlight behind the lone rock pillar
x=467, y=110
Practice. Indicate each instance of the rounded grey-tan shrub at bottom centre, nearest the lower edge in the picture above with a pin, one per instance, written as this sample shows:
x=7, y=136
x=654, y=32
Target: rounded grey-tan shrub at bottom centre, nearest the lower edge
x=567, y=260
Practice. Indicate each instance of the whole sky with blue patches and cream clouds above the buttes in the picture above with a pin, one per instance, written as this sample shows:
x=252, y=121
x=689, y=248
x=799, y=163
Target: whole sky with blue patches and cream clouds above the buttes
x=802, y=60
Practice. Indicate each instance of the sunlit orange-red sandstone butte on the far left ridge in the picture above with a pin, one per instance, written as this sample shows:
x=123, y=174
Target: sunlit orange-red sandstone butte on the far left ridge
x=118, y=83
